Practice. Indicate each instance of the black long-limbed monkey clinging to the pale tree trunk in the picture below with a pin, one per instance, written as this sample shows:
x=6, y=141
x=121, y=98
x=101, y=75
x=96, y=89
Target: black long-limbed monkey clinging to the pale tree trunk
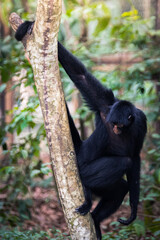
x=114, y=147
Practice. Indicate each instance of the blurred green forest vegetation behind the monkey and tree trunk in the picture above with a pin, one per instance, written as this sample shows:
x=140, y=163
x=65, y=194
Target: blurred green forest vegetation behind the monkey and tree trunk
x=119, y=42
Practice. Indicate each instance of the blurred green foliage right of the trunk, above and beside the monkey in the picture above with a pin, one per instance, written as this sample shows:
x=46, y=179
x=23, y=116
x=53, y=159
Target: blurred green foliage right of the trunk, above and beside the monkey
x=130, y=32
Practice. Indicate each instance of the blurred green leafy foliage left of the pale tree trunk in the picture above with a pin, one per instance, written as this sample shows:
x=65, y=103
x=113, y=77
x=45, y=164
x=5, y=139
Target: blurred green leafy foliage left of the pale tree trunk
x=22, y=163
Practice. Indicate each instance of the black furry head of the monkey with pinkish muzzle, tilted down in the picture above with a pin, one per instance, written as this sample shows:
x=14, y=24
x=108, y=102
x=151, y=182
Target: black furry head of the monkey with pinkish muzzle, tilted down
x=121, y=116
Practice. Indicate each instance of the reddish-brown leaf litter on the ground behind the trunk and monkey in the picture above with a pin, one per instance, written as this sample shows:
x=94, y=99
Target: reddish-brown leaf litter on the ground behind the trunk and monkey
x=46, y=212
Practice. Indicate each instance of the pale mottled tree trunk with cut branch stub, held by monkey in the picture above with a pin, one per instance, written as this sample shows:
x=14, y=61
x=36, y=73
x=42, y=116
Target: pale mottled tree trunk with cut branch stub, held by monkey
x=41, y=47
